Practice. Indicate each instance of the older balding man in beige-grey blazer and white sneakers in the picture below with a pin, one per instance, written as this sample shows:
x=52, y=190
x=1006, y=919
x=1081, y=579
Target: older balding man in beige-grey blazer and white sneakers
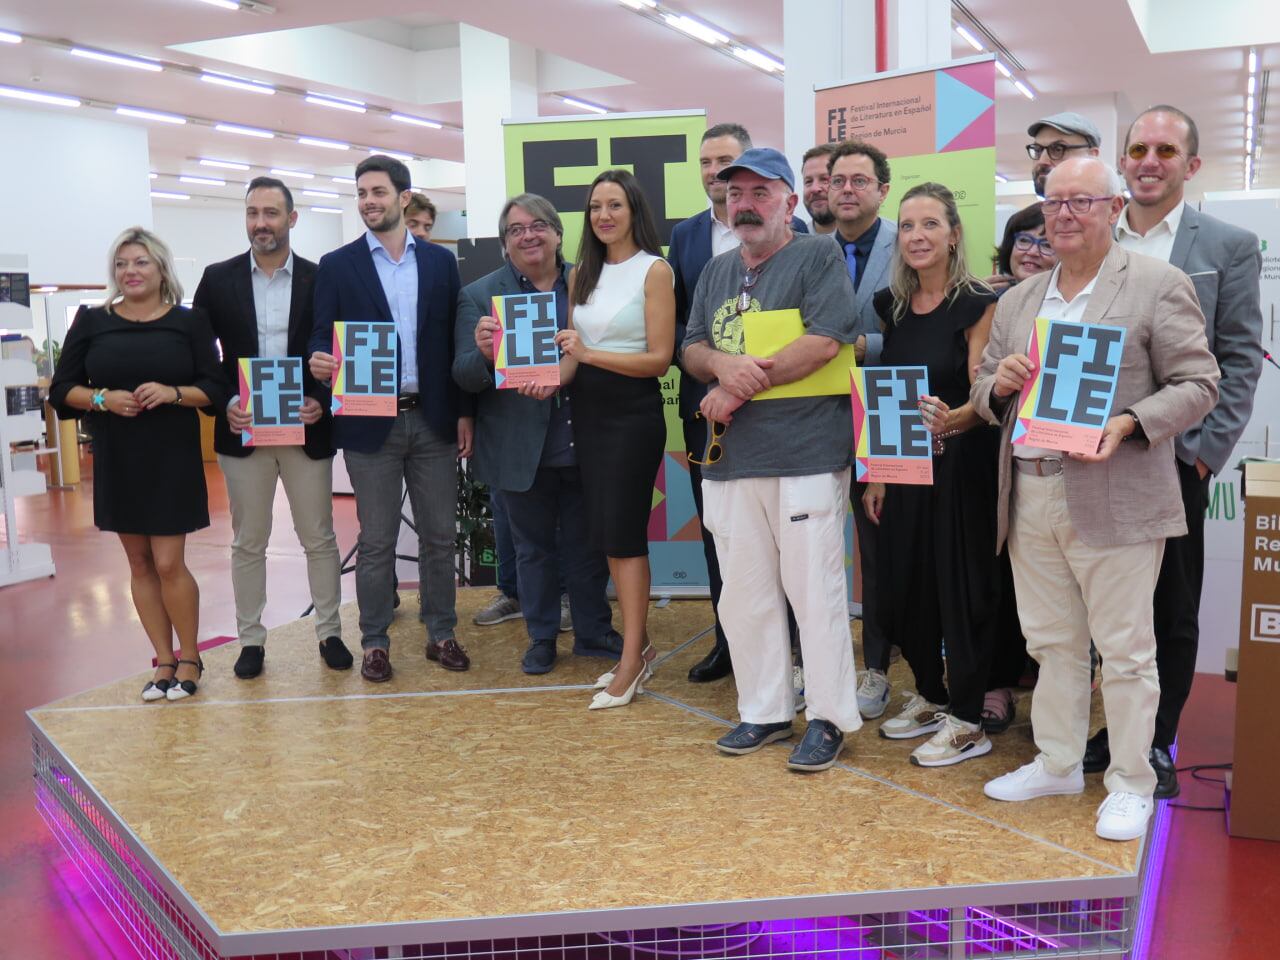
x=1087, y=532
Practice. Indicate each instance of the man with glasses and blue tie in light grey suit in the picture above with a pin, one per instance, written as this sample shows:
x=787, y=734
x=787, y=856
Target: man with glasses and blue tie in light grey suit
x=860, y=182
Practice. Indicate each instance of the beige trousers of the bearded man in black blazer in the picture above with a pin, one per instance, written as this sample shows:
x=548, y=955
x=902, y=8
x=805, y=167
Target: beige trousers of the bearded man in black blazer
x=309, y=488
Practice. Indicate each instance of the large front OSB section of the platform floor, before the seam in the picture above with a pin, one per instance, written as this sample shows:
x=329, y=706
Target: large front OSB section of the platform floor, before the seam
x=286, y=815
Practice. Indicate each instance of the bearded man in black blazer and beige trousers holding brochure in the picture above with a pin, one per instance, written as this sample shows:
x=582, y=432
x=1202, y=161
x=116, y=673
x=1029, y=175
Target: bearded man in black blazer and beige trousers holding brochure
x=259, y=305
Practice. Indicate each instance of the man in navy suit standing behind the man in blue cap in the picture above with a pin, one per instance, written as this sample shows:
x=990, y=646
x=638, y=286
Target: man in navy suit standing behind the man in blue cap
x=693, y=244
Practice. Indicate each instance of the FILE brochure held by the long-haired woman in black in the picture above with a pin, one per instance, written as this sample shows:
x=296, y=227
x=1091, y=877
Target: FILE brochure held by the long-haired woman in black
x=892, y=442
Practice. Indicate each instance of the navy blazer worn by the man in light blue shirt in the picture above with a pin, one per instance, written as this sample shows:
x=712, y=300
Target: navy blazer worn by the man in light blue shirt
x=348, y=289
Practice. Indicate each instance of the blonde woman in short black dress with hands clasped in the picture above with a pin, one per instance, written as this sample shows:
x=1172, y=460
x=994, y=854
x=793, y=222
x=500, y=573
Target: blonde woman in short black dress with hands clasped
x=140, y=367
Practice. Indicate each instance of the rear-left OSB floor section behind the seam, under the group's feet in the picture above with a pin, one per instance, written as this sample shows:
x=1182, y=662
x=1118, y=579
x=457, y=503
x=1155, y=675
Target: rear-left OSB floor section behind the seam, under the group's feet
x=294, y=668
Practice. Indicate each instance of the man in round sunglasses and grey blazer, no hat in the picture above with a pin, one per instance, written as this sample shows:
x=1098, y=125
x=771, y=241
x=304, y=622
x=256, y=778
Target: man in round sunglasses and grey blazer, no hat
x=1224, y=263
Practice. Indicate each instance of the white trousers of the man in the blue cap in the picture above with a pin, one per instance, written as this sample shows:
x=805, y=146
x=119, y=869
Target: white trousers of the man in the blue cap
x=780, y=540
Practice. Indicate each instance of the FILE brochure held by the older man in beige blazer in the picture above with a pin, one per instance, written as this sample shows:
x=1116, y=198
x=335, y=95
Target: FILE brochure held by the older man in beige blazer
x=1067, y=403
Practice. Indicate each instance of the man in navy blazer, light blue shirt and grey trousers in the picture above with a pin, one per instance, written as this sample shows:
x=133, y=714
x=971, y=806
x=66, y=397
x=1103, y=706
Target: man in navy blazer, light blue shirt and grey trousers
x=388, y=276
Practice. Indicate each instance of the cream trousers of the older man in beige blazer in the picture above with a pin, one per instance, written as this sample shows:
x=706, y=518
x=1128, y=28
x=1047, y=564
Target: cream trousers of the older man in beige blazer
x=1067, y=593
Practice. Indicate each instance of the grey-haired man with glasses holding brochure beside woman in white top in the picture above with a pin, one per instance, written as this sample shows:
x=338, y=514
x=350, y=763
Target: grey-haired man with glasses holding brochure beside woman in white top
x=524, y=446
